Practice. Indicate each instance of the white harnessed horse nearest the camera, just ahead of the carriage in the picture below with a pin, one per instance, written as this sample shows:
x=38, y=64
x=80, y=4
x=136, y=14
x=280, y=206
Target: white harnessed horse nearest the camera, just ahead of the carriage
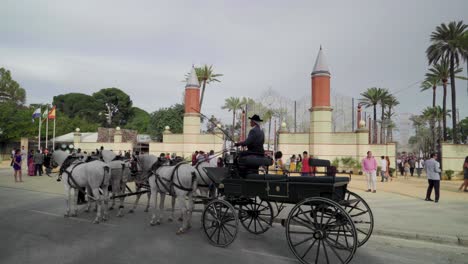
x=180, y=181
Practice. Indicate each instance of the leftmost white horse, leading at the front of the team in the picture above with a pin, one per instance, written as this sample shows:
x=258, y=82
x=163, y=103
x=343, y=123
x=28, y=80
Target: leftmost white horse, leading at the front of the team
x=77, y=174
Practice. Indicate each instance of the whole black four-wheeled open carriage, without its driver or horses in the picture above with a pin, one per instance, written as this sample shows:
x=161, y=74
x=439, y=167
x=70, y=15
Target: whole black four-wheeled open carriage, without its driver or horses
x=325, y=224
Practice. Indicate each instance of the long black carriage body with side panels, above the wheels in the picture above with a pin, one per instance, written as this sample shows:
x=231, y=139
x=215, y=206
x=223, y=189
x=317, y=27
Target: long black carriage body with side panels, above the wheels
x=286, y=189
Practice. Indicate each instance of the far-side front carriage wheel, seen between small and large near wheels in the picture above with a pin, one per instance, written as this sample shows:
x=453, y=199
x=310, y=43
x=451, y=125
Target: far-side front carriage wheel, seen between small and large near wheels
x=256, y=216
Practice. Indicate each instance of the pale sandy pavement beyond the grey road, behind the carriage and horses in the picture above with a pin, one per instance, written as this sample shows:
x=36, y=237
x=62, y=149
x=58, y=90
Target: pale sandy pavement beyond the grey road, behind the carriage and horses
x=398, y=206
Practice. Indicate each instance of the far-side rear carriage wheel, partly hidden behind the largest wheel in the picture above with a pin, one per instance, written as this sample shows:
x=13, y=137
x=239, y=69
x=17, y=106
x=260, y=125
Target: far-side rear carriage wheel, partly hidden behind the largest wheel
x=361, y=214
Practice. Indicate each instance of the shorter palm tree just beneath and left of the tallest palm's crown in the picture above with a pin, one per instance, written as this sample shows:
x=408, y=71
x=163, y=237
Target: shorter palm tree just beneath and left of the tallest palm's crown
x=441, y=72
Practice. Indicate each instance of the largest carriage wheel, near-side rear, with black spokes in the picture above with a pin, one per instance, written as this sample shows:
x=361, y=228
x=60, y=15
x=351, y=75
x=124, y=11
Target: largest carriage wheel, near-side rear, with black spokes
x=319, y=230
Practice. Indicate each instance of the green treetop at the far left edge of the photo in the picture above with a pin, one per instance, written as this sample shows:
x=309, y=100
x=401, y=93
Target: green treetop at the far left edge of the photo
x=10, y=90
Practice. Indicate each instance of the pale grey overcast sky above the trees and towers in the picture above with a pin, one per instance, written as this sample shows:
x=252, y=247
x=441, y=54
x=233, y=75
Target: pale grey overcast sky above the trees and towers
x=146, y=47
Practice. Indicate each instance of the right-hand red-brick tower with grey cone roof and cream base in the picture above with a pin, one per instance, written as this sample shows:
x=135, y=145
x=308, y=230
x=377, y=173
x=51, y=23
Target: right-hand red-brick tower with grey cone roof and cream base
x=321, y=111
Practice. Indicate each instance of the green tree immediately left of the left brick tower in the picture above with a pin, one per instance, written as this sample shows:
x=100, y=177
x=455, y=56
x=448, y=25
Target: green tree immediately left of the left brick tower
x=172, y=116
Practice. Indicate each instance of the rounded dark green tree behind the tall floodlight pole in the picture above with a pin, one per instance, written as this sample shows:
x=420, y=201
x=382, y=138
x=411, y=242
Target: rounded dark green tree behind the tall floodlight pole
x=114, y=102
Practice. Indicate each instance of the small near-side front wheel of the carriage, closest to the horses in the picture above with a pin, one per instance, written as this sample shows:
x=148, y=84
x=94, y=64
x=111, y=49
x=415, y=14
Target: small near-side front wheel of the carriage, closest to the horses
x=220, y=223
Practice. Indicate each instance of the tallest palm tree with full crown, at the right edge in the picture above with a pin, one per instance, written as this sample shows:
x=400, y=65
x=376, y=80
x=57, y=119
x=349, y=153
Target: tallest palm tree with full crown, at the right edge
x=447, y=45
